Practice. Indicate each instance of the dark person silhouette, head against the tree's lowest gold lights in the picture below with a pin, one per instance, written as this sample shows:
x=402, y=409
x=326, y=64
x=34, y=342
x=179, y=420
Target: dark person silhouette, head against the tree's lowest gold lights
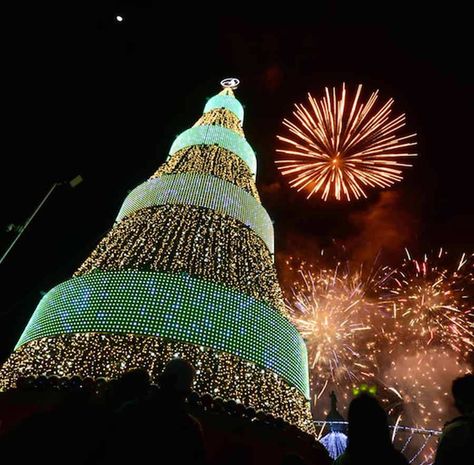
x=157, y=428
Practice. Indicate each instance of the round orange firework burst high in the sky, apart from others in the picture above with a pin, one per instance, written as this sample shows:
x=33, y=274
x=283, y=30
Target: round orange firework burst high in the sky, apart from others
x=338, y=149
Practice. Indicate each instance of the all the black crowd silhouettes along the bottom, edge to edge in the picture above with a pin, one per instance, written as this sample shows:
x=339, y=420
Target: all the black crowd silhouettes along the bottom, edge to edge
x=132, y=421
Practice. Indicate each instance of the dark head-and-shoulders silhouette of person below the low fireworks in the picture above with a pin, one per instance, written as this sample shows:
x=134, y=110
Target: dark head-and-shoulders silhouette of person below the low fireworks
x=369, y=441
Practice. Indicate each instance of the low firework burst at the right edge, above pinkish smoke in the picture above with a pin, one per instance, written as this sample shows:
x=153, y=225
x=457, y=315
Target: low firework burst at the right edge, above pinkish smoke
x=430, y=304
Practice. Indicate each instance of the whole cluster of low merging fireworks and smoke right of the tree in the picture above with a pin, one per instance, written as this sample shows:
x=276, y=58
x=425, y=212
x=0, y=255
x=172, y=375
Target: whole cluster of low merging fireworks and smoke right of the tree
x=407, y=330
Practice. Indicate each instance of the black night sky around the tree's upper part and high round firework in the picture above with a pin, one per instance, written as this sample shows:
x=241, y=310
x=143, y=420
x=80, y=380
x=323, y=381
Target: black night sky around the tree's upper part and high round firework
x=87, y=95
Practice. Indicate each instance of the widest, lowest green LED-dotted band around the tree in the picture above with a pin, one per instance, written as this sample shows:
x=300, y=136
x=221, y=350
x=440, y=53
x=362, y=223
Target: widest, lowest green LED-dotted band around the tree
x=173, y=306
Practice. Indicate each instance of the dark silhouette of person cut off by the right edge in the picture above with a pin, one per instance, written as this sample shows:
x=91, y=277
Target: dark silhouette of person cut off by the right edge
x=456, y=444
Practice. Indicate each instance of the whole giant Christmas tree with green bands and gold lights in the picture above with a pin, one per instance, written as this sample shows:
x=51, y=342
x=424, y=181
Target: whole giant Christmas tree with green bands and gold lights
x=187, y=271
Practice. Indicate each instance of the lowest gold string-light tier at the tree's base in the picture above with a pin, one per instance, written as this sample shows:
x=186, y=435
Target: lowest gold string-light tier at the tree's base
x=110, y=355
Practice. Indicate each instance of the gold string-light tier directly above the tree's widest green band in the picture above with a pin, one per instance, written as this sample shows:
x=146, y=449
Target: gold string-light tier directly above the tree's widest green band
x=195, y=240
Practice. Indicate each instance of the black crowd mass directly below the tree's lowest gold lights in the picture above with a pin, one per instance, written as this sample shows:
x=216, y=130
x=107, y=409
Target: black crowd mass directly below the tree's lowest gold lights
x=129, y=420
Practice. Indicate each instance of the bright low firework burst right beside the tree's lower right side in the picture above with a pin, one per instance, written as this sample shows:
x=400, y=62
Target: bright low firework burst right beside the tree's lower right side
x=330, y=309
